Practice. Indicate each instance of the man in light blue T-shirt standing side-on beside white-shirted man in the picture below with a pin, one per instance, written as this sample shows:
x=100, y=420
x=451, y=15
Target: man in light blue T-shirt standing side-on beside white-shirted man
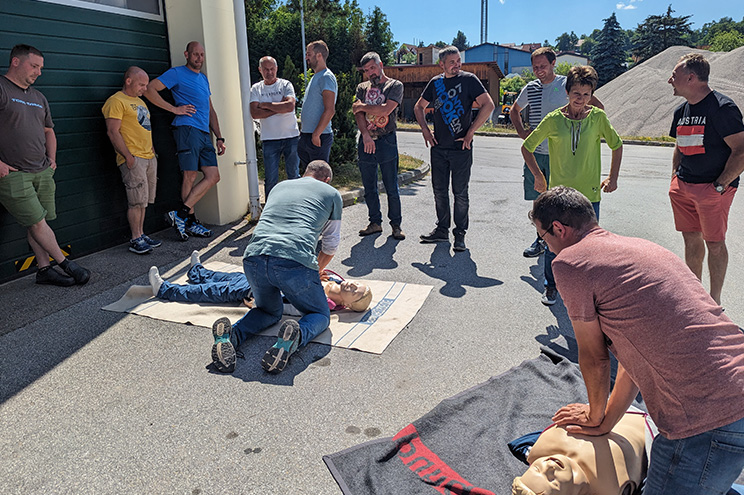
x=318, y=107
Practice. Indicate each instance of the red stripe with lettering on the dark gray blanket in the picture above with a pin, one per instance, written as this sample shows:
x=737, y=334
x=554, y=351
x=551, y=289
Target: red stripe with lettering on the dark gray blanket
x=430, y=468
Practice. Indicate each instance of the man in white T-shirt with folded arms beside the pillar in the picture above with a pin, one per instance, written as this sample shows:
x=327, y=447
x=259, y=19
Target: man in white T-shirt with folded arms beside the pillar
x=273, y=101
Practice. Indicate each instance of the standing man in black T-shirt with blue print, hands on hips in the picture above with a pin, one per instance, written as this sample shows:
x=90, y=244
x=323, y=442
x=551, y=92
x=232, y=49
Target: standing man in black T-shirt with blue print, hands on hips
x=452, y=94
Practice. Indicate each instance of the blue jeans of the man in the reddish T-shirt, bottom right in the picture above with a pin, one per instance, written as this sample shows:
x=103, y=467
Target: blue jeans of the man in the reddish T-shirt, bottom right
x=705, y=464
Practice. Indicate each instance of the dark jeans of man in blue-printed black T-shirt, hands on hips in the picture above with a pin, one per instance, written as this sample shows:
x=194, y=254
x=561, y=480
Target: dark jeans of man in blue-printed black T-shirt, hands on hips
x=453, y=163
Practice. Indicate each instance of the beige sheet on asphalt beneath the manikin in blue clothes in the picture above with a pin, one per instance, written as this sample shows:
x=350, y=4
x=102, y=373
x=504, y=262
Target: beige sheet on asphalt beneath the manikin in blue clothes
x=394, y=304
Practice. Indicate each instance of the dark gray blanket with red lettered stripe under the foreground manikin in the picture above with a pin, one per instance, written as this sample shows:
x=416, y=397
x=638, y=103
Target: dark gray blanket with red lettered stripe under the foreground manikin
x=460, y=446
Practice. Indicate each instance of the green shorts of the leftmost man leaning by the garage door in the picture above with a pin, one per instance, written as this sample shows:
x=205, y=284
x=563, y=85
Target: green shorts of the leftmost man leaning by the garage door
x=29, y=197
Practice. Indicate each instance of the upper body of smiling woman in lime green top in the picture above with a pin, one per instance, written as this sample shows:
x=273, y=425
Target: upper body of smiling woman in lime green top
x=574, y=134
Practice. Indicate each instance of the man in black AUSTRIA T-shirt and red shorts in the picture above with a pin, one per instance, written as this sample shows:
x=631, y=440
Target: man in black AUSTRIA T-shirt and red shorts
x=707, y=162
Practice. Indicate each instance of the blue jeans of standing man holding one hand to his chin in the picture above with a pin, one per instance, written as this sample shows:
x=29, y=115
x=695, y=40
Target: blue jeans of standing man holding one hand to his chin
x=386, y=156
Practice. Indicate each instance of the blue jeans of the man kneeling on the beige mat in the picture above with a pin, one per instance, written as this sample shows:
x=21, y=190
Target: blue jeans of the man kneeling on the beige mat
x=269, y=277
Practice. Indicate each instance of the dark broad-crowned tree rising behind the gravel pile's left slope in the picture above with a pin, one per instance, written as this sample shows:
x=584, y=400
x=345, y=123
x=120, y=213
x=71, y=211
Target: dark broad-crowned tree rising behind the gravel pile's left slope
x=659, y=32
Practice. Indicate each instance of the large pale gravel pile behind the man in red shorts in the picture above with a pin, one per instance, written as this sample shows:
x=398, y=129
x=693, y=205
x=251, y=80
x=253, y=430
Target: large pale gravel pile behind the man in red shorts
x=641, y=102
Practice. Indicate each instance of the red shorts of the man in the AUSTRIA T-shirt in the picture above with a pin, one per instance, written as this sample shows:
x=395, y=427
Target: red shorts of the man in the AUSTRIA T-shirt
x=699, y=208
